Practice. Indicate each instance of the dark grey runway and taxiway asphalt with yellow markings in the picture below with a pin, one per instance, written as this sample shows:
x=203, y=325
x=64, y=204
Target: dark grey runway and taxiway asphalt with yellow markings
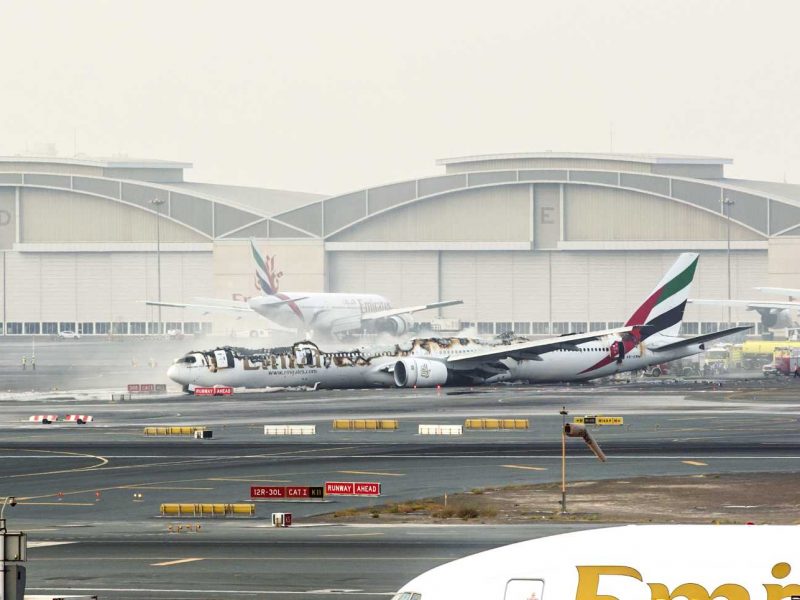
x=90, y=495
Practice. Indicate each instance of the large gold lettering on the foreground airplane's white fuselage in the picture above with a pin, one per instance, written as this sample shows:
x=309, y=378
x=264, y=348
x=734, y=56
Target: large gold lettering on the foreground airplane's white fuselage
x=589, y=583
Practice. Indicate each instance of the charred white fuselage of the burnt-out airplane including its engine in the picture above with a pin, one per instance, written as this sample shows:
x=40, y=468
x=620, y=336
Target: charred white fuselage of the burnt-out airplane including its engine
x=306, y=365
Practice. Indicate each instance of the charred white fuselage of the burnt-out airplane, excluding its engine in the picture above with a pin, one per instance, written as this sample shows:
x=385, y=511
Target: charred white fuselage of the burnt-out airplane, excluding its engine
x=362, y=368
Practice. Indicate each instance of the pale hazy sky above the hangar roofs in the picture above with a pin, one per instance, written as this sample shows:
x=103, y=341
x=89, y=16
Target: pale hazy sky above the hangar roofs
x=336, y=95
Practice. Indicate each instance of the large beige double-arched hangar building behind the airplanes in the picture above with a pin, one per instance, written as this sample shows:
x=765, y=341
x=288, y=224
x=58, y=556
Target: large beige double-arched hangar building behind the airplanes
x=534, y=242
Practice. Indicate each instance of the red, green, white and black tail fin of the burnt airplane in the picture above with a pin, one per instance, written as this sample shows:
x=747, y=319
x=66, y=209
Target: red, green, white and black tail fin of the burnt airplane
x=663, y=309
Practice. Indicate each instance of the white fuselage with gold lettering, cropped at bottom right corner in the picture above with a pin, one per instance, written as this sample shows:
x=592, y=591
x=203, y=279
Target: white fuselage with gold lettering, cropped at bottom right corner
x=652, y=562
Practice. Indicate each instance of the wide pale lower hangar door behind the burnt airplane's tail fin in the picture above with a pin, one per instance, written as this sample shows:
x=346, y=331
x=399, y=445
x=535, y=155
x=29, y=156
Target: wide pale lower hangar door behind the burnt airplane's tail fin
x=586, y=286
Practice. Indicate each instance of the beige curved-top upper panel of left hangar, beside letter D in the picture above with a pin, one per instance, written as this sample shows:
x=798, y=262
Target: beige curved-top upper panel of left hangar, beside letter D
x=61, y=216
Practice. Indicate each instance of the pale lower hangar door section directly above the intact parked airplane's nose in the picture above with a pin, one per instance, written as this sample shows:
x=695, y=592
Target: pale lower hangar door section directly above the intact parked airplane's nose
x=405, y=279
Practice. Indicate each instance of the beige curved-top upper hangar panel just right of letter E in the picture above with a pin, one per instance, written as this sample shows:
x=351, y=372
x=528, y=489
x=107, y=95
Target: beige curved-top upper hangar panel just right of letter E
x=595, y=213
